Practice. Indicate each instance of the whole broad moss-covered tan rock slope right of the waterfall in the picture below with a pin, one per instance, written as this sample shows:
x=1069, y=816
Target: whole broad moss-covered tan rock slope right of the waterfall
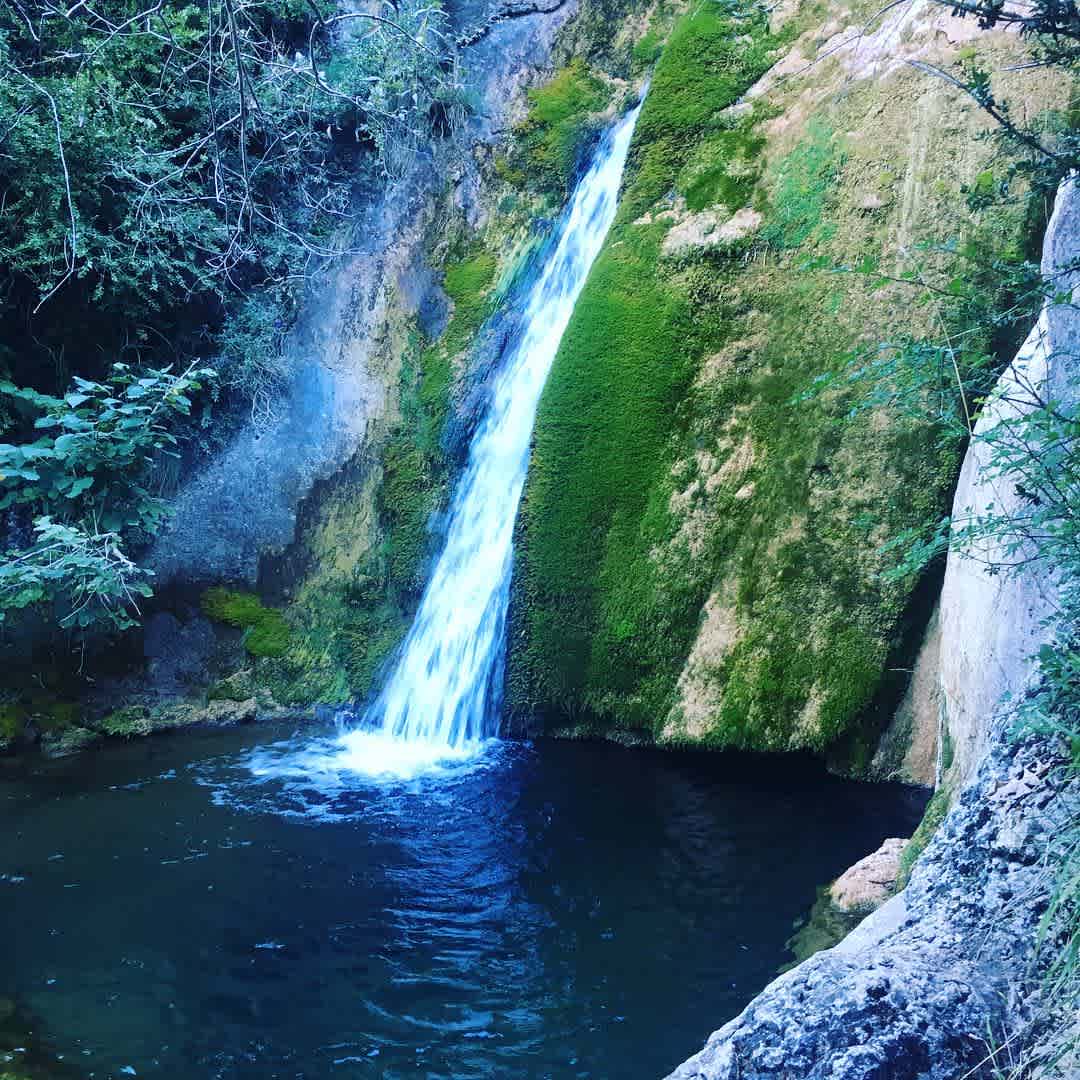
x=700, y=545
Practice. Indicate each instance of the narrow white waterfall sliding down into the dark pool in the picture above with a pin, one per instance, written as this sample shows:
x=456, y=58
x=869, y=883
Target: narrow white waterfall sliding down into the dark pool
x=441, y=701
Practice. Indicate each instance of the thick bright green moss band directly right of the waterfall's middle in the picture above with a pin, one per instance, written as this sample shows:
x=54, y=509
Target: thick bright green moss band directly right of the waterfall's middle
x=605, y=420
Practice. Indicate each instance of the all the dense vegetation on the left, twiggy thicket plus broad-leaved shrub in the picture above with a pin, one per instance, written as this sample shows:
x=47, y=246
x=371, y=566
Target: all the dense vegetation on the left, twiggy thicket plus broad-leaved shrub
x=170, y=175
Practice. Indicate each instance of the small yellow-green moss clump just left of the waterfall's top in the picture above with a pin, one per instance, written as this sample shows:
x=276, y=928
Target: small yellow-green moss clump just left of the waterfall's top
x=560, y=126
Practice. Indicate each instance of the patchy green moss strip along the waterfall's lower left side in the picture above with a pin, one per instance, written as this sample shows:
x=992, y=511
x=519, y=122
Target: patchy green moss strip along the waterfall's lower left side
x=356, y=609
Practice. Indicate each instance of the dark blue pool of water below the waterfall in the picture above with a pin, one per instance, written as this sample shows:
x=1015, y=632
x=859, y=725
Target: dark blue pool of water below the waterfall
x=561, y=911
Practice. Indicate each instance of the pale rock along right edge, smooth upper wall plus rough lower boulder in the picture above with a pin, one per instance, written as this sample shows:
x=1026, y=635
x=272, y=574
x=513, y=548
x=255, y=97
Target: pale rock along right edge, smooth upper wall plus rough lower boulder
x=946, y=974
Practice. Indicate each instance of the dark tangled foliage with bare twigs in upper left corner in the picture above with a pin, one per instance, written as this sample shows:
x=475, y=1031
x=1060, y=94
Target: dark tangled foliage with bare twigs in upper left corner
x=159, y=157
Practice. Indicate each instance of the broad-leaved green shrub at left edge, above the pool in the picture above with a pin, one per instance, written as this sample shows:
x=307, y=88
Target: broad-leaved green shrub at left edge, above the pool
x=84, y=472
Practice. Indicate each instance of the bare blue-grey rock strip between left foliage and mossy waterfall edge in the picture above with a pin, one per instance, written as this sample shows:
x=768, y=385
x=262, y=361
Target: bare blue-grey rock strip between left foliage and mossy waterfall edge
x=245, y=504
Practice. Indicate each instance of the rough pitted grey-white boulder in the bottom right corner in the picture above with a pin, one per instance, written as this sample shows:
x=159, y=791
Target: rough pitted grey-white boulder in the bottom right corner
x=928, y=982
